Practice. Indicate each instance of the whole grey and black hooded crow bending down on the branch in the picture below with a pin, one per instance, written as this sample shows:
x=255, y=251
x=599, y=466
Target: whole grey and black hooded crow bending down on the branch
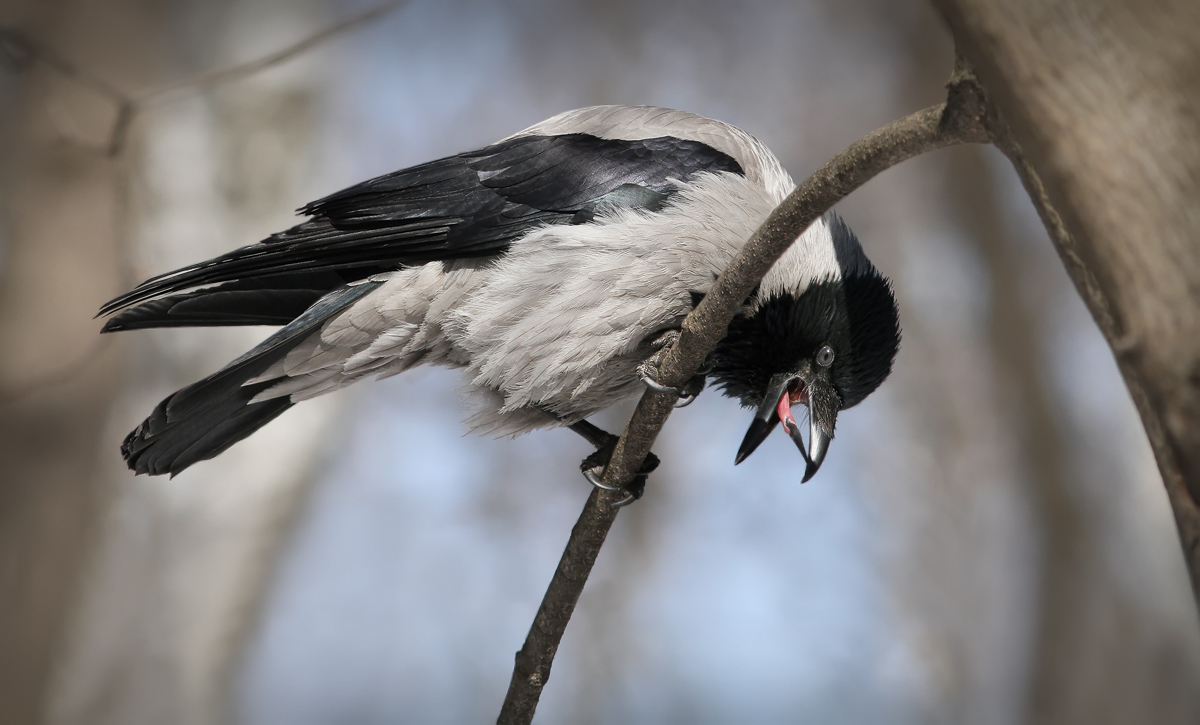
x=553, y=267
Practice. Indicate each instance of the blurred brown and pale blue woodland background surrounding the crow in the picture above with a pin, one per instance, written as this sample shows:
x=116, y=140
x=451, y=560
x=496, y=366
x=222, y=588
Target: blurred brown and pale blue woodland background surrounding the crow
x=988, y=542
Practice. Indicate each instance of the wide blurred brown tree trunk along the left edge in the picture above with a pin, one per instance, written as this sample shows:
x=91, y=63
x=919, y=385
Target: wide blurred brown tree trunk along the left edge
x=59, y=255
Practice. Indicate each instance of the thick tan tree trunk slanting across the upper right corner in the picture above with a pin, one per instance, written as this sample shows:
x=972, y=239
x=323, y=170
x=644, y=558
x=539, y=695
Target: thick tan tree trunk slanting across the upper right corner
x=1102, y=106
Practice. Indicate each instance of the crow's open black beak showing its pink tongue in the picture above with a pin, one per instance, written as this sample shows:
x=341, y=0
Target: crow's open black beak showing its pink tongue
x=783, y=392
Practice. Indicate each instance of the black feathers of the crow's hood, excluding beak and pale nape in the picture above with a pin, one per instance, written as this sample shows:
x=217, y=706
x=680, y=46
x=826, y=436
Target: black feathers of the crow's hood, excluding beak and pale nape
x=856, y=316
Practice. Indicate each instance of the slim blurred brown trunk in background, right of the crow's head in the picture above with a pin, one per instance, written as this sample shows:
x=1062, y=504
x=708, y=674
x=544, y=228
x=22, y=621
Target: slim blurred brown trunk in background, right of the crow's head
x=1067, y=595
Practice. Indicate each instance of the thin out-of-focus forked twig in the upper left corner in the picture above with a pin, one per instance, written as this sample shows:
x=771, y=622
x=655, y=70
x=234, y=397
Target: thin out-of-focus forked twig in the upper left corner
x=22, y=51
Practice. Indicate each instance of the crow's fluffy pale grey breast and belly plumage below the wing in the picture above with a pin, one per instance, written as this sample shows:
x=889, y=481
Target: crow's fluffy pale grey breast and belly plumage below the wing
x=559, y=325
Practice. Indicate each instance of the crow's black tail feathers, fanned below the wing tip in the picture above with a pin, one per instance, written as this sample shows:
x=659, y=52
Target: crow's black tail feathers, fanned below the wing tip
x=202, y=421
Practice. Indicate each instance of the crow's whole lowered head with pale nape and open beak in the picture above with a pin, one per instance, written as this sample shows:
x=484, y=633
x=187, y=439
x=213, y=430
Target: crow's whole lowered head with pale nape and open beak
x=821, y=331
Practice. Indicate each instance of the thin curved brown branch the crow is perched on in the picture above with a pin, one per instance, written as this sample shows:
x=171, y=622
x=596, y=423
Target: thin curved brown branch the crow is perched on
x=962, y=119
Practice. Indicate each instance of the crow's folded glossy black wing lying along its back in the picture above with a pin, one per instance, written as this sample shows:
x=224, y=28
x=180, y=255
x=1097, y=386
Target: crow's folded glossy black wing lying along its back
x=473, y=205
